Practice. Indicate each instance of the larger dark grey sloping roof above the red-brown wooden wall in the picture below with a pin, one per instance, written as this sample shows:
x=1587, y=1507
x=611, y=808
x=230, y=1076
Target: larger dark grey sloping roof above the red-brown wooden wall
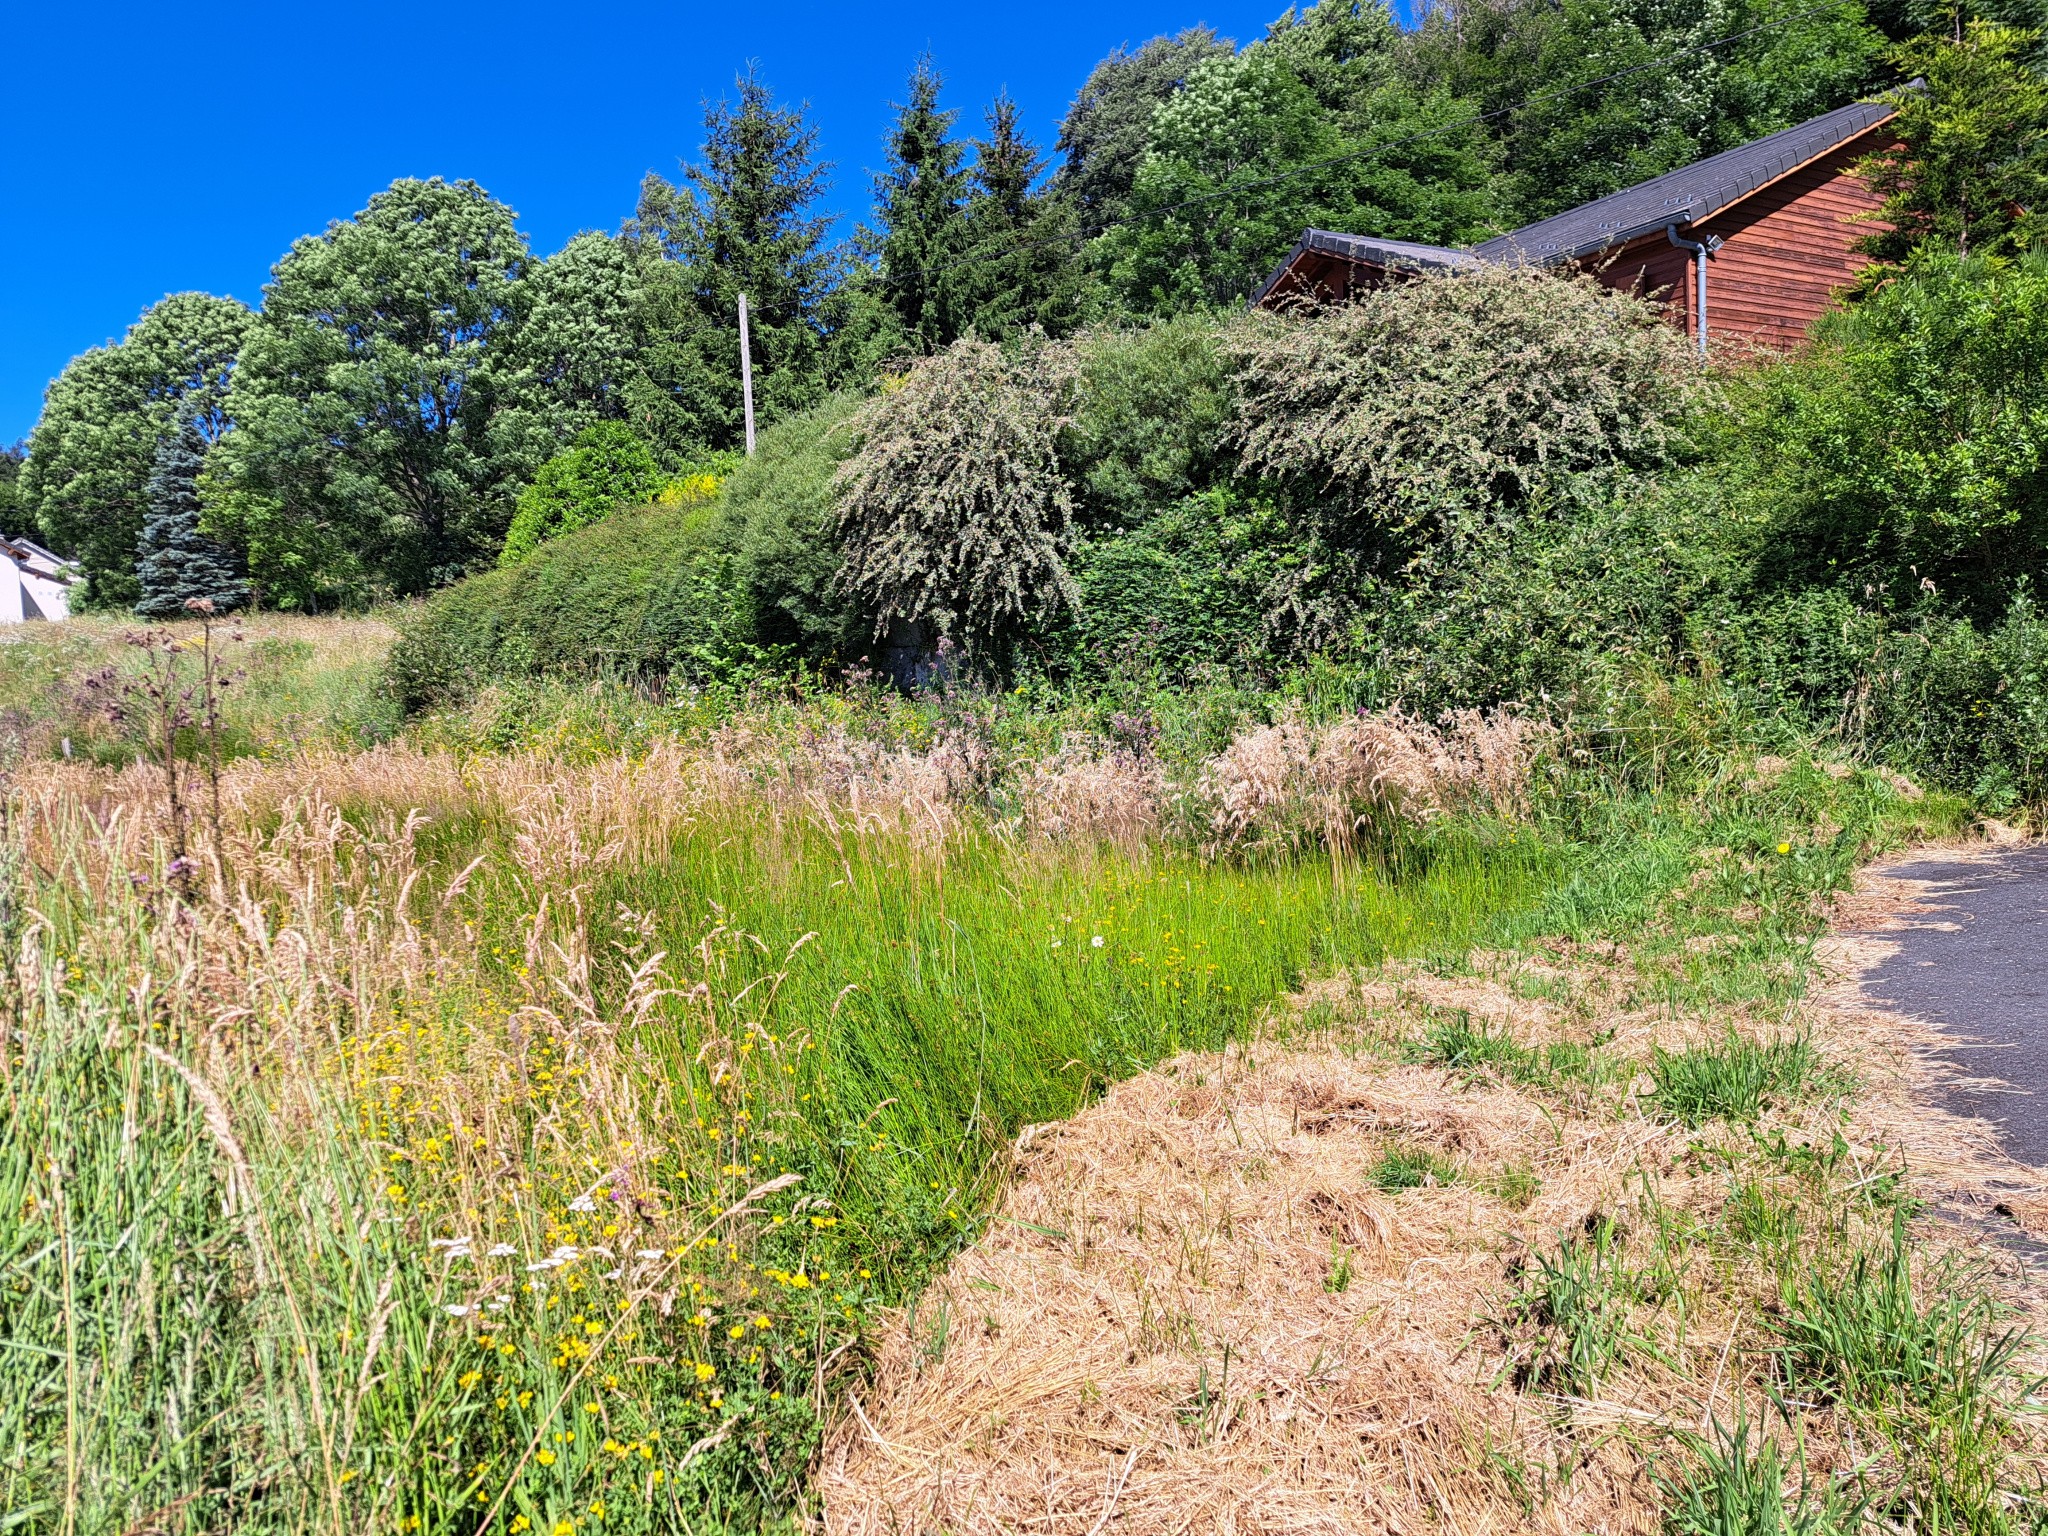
x=1689, y=196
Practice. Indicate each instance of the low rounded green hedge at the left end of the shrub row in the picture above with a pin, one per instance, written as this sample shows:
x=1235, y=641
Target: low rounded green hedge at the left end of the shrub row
x=648, y=591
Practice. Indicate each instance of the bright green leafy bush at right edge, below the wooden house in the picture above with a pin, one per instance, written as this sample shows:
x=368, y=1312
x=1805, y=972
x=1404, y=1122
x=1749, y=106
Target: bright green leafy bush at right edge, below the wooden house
x=1910, y=445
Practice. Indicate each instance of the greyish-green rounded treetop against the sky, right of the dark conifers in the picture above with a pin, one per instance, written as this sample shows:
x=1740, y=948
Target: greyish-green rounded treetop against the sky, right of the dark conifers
x=1107, y=130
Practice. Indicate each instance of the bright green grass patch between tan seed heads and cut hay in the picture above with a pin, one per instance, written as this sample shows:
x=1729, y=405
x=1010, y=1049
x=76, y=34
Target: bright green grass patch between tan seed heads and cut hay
x=951, y=998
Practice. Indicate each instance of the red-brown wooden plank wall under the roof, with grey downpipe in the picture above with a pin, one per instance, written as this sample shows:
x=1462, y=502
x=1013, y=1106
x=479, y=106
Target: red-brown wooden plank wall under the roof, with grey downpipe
x=1789, y=249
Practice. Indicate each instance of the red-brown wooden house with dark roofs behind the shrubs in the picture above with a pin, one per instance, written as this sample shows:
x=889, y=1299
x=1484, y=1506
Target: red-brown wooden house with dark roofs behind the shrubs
x=1746, y=245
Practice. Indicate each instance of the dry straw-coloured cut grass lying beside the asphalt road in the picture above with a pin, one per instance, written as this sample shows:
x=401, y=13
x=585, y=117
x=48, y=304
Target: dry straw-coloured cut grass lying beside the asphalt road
x=1152, y=1336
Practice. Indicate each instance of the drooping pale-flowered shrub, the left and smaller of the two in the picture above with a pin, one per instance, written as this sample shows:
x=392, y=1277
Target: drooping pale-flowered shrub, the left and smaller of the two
x=953, y=507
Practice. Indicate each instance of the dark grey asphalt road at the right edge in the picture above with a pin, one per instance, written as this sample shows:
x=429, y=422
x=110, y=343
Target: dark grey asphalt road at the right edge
x=1977, y=968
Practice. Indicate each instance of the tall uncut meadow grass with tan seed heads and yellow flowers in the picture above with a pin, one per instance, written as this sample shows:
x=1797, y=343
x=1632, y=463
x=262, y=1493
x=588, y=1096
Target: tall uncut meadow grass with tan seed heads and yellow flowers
x=550, y=1164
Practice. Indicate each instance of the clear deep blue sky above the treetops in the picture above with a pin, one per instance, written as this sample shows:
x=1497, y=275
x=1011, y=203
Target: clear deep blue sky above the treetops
x=163, y=148
